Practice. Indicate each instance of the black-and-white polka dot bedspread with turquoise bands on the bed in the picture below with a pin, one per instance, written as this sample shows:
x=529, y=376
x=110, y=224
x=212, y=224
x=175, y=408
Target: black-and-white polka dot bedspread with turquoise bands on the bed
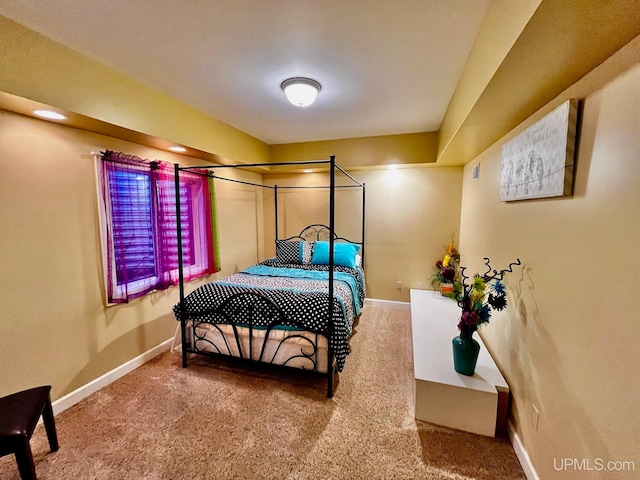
x=290, y=295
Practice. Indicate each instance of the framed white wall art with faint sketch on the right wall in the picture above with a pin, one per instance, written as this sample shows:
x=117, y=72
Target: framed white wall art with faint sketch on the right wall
x=539, y=162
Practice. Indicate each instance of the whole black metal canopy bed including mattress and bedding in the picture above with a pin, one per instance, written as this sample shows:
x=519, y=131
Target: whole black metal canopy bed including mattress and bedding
x=263, y=324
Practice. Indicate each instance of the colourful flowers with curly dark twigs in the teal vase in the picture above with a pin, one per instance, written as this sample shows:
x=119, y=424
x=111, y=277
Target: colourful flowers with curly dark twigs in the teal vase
x=476, y=298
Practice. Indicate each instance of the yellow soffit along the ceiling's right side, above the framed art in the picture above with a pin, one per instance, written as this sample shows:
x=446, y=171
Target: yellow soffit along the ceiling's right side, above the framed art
x=528, y=52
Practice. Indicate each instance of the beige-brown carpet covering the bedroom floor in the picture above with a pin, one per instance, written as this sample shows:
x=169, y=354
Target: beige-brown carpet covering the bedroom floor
x=219, y=420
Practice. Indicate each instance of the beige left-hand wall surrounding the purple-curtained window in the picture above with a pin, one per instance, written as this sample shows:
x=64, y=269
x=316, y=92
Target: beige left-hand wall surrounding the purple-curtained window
x=54, y=326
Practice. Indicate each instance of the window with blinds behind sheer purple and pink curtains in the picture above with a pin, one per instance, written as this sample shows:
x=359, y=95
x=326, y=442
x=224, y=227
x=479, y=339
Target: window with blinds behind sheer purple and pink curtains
x=138, y=219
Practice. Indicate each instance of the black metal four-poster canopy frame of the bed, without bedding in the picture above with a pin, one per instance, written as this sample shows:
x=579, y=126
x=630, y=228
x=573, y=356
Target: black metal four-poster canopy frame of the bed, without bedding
x=256, y=305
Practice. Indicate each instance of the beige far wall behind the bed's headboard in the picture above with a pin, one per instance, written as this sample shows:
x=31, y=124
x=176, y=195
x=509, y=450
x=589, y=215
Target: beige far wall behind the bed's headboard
x=411, y=214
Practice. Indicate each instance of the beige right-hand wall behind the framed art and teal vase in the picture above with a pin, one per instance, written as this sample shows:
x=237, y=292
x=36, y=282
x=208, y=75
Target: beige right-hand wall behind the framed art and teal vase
x=568, y=341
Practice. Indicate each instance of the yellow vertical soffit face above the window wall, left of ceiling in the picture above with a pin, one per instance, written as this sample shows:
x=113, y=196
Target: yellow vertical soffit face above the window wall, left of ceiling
x=39, y=69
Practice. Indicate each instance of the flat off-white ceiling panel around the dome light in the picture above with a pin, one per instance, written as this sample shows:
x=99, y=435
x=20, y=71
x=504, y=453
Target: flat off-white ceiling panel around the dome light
x=385, y=67
